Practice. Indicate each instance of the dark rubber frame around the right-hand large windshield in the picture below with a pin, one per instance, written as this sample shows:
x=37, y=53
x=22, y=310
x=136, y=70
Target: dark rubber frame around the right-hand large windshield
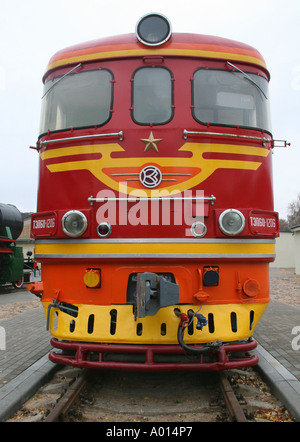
x=210, y=123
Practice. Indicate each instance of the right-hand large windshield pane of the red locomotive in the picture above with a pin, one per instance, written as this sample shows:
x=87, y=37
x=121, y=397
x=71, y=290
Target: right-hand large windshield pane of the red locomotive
x=229, y=98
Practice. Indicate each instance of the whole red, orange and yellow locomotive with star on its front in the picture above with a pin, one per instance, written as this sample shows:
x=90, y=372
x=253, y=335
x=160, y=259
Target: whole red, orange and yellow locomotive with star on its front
x=155, y=224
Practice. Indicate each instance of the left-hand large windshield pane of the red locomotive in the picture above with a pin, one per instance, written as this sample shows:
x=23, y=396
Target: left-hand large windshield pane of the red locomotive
x=79, y=100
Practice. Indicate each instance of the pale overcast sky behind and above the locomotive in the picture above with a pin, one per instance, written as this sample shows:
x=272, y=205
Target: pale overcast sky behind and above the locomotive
x=31, y=31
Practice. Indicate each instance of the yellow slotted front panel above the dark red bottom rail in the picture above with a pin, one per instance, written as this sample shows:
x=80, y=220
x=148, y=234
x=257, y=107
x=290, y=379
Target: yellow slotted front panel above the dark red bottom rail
x=158, y=329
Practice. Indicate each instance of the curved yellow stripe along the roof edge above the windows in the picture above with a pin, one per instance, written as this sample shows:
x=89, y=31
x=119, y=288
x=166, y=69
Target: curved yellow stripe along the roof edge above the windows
x=140, y=52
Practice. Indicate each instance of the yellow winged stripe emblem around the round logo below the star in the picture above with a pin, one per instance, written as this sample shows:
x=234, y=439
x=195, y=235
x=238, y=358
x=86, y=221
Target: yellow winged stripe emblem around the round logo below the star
x=206, y=166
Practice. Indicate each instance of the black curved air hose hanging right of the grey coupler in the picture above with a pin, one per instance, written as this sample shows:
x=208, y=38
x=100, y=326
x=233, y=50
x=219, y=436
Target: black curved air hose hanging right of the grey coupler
x=184, y=323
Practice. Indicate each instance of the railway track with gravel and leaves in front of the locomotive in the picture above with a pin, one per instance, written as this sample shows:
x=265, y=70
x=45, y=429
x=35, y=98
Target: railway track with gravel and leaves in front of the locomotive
x=235, y=395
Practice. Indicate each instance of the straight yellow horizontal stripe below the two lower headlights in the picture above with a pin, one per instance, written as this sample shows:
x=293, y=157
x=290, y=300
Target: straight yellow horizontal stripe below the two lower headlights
x=176, y=249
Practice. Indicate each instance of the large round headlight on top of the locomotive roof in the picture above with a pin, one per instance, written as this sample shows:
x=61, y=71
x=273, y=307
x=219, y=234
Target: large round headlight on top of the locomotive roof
x=153, y=29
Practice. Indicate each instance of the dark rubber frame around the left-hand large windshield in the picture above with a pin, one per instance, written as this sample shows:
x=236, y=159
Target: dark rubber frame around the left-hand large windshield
x=110, y=112
